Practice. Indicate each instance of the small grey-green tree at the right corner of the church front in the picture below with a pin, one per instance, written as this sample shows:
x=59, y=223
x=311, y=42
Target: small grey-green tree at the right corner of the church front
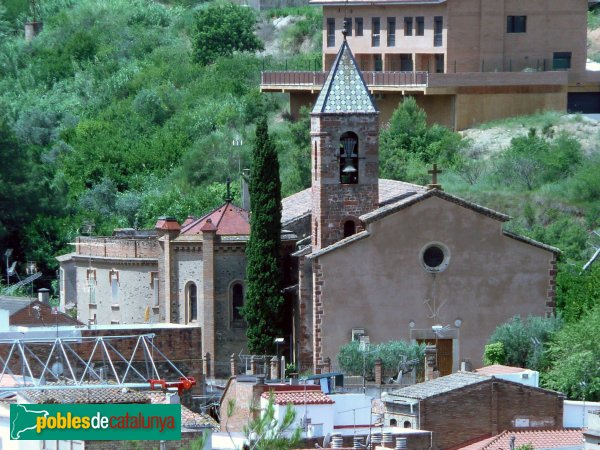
x=524, y=340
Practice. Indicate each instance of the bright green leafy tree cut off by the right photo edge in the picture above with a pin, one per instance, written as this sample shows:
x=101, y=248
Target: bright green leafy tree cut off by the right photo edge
x=574, y=356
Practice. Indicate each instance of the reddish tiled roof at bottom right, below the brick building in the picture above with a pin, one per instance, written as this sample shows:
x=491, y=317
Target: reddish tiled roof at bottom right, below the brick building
x=539, y=439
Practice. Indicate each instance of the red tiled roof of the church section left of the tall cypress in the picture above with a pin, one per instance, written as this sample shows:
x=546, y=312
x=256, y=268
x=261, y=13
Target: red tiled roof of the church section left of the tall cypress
x=229, y=220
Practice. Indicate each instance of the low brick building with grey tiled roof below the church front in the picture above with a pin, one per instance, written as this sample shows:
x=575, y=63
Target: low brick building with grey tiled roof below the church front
x=465, y=406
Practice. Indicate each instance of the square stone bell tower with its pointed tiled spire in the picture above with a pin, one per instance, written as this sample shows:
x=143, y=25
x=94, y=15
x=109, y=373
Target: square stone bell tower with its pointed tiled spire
x=344, y=153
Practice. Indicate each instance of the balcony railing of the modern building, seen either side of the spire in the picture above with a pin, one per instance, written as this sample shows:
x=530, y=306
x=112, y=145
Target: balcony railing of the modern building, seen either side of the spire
x=309, y=79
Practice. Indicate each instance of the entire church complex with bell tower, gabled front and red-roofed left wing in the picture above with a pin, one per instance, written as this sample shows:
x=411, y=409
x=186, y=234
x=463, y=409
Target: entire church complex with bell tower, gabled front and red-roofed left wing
x=362, y=257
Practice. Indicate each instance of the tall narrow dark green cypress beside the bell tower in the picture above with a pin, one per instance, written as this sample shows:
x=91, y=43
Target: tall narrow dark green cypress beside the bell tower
x=262, y=308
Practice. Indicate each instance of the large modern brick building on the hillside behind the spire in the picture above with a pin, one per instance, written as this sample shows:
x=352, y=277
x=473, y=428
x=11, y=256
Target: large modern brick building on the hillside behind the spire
x=465, y=61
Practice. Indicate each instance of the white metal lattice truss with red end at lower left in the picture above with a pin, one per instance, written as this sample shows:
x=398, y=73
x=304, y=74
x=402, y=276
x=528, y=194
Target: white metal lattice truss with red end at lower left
x=59, y=363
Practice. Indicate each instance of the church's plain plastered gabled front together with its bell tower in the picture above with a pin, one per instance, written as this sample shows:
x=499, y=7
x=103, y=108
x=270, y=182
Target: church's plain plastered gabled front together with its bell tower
x=415, y=263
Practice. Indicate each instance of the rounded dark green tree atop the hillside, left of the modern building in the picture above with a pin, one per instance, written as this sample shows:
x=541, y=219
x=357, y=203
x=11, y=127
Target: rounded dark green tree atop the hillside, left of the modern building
x=221, y=30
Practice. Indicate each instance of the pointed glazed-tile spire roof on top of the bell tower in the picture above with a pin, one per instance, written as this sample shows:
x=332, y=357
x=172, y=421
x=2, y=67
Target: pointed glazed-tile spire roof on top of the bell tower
x=344, y=90
